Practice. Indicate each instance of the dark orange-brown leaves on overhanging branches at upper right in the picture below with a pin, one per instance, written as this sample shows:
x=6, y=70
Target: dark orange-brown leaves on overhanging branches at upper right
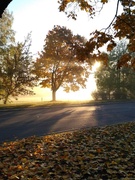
x=123, y=26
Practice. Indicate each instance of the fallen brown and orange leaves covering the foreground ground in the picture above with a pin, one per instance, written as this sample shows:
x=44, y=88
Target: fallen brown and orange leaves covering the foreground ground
x=99, y=153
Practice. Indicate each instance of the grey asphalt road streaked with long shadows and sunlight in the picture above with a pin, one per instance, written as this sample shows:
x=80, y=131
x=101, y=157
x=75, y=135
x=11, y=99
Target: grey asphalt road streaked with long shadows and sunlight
x=21, y=123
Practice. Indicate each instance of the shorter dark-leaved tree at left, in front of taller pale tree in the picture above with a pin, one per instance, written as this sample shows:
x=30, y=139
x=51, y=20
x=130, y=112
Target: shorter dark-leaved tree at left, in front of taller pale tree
x=16, y=71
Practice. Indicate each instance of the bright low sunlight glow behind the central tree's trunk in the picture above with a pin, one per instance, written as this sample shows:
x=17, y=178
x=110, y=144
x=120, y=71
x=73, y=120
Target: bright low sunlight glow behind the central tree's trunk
x=45, y=94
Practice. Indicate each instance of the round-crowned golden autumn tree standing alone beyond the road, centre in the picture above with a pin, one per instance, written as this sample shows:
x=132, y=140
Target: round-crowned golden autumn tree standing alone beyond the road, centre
x=57, y=65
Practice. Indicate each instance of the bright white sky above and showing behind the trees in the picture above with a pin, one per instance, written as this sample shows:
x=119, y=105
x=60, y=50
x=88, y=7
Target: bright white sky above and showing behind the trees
x=40, y=16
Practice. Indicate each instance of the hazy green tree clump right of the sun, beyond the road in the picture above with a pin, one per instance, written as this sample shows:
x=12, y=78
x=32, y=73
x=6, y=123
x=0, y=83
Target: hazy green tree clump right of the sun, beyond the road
x=115, y=83
